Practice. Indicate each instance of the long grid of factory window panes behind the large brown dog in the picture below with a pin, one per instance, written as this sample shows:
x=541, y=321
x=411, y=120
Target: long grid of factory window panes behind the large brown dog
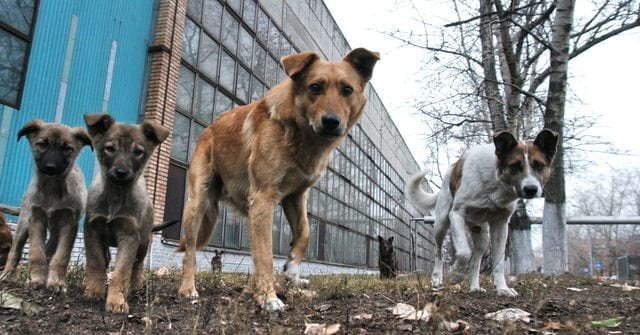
x=230, y=58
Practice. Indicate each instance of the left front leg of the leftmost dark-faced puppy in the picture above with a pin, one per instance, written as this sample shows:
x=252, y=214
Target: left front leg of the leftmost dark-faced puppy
x=37, y=255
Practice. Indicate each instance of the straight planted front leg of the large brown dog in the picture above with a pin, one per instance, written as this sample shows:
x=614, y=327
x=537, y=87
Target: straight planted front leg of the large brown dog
x=260, y=225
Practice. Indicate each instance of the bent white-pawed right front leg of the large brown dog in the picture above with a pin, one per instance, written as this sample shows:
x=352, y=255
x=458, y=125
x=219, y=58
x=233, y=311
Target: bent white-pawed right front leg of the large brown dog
x=295, y=209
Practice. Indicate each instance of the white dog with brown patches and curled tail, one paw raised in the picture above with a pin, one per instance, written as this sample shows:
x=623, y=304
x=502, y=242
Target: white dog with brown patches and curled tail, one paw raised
x=478, y=198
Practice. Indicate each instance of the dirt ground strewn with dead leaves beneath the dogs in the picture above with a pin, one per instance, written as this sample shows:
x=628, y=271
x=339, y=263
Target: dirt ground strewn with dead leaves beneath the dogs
x=226, y=308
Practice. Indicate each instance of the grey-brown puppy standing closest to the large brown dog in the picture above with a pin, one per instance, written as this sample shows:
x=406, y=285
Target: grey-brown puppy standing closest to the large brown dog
x=119, y=211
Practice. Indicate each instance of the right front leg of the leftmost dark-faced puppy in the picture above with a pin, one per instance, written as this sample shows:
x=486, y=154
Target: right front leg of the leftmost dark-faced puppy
x=66, y=225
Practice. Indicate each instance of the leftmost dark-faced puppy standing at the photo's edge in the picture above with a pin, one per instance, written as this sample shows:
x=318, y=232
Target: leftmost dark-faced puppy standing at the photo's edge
x=54, y=201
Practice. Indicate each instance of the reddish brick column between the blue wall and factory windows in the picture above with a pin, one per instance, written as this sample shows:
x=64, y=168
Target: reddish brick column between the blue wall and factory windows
x=164, y=54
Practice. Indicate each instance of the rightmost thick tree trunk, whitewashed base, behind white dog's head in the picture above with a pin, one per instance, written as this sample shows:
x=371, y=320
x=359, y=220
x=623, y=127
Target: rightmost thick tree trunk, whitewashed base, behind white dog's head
x=554, y=222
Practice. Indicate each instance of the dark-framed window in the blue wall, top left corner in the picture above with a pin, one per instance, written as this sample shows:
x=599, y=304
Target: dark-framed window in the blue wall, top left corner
x=17, y=19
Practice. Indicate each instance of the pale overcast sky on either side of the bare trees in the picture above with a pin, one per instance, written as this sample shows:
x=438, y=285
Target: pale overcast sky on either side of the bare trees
x=605, y=78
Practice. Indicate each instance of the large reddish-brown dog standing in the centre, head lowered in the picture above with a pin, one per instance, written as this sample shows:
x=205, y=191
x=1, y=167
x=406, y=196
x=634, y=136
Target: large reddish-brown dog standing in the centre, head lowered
x=272, y=151
